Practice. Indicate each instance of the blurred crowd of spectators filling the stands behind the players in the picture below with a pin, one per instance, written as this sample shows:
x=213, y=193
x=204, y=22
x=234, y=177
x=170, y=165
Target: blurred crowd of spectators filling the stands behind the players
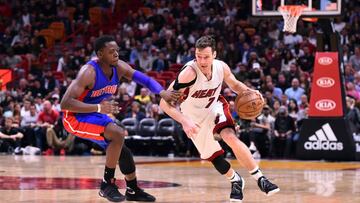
x=45, y=42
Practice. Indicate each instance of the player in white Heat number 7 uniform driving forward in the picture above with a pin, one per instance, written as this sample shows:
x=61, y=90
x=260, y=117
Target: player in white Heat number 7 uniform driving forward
x=204, y=115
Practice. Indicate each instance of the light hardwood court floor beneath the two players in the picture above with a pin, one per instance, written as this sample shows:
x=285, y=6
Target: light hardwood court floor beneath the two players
x=75, y=179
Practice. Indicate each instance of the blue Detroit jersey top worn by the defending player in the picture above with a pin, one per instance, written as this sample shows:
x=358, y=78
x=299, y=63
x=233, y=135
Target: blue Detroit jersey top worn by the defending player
x=103, y=87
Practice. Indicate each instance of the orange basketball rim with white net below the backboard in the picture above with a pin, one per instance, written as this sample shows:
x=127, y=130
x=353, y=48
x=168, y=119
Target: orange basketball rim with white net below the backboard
x=291, y=14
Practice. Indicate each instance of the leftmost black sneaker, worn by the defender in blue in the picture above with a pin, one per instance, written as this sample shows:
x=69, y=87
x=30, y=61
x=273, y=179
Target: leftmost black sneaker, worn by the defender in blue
x=110, y=191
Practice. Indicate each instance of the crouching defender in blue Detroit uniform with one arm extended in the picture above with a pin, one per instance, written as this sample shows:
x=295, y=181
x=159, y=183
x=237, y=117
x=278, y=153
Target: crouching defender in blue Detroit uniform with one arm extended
x=86, y=104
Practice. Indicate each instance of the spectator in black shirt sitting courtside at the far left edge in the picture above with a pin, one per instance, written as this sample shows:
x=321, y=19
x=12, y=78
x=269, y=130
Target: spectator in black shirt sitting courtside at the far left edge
x=10, y=137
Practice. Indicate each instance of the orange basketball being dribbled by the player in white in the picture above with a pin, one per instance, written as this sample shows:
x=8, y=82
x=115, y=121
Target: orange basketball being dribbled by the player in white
x=249, y=104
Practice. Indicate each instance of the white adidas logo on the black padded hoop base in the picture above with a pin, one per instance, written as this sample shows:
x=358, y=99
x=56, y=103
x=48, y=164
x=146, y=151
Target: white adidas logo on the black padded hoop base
x=324, y=139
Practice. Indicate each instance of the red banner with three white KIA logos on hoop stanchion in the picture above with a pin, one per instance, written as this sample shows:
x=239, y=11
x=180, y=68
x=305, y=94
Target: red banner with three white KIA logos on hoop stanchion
x=325, y=100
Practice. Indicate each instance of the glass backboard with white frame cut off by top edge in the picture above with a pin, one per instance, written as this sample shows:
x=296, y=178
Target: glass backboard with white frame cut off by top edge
x=314, y=8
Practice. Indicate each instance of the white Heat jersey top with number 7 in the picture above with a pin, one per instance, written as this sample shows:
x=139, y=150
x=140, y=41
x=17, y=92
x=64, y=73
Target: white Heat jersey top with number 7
x=203, y=95
